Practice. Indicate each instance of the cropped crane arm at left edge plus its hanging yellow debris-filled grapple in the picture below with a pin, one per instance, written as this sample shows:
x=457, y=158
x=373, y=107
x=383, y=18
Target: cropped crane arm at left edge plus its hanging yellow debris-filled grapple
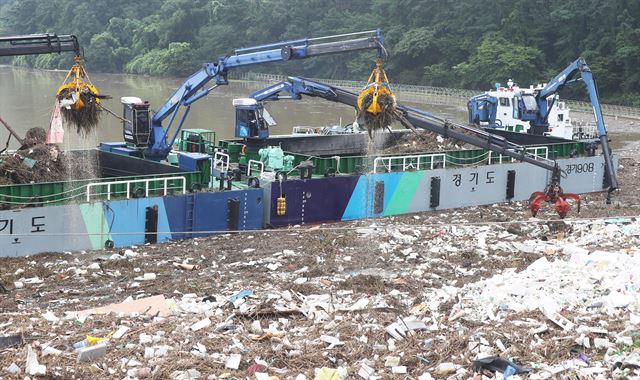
x=78, y=98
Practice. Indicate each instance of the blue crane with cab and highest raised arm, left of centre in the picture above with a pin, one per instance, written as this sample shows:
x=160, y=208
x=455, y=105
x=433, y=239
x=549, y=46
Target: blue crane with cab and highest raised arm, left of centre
x=149, y=135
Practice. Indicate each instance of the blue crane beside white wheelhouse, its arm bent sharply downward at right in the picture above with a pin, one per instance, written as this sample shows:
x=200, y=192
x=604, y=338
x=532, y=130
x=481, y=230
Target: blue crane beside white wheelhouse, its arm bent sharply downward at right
x=536, y=107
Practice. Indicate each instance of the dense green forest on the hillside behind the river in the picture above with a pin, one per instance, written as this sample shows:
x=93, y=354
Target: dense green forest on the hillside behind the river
x=462, y=43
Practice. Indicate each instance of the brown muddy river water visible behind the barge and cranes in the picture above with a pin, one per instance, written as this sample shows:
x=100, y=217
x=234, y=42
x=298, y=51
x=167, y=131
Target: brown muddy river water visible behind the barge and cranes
x=26, y=100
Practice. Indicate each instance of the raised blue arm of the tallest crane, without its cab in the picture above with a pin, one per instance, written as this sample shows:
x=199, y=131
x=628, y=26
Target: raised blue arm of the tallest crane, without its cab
x=193, y=88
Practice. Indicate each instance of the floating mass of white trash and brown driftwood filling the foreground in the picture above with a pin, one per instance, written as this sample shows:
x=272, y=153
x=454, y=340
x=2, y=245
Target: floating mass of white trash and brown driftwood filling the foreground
x=413, y=296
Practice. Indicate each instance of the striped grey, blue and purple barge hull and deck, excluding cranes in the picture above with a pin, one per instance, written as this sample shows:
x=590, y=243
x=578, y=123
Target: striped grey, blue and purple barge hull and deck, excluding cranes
x=233, y=190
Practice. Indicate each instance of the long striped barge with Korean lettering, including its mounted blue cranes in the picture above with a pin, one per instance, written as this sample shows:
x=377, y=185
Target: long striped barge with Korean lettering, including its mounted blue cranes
x=168, y=182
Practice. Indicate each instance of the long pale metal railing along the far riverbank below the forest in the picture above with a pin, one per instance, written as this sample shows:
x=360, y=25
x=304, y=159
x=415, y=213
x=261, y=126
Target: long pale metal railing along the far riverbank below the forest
x=443, y=95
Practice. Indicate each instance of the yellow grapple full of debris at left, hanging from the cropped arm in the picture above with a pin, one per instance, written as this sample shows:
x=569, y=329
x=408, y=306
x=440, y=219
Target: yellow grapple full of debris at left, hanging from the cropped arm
x=79, y=99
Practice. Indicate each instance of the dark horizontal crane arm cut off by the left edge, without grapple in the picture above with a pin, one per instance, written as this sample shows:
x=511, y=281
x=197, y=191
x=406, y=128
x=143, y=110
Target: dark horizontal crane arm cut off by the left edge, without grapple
x=38, y=44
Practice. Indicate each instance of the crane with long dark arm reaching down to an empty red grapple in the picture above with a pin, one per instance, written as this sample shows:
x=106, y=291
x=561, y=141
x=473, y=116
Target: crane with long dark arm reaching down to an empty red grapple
x=251, y=124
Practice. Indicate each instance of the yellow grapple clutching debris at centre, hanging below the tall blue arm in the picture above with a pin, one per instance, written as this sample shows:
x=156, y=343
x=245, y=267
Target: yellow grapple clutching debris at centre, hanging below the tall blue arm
x=376, y=102
